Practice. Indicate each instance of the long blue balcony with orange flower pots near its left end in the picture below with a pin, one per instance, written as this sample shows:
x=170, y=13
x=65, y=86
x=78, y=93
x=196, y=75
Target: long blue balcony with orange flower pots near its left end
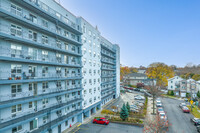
x=7, y=78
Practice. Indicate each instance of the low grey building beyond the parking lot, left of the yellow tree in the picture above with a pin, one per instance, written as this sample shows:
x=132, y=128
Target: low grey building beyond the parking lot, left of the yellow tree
x=134, y=78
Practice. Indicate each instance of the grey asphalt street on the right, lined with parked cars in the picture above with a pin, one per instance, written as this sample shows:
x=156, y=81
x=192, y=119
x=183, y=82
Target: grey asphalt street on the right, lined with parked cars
x=180, y=122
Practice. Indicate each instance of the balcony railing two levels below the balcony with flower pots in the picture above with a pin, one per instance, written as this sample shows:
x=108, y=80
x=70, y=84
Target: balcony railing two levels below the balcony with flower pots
x=35, y=111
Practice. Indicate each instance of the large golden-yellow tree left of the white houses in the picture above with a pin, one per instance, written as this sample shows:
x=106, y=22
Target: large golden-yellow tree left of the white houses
x=161, y=72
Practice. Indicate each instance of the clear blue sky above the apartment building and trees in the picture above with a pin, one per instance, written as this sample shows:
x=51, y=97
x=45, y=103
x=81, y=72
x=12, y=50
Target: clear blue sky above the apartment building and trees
x=147, y=31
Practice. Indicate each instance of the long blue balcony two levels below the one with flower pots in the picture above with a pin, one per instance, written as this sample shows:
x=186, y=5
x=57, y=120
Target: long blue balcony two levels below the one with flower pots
x=29, y=115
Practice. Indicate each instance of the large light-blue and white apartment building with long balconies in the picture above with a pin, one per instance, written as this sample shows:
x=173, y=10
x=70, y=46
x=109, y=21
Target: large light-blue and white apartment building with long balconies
x=49, y=79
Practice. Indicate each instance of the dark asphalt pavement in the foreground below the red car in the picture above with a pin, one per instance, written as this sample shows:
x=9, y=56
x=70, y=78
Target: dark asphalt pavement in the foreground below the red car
x=110, y=128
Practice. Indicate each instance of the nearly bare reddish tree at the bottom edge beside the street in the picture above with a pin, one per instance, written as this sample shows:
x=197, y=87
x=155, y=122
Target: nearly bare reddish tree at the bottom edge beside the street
x=156, y=125
